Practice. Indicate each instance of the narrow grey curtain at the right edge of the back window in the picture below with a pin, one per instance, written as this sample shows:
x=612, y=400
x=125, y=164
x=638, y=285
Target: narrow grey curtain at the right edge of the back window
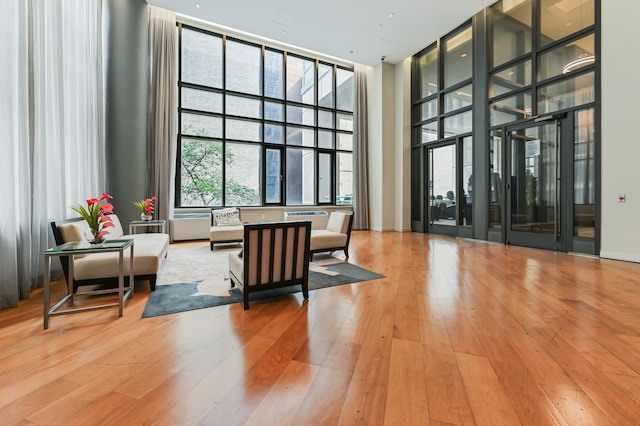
x=360, y=152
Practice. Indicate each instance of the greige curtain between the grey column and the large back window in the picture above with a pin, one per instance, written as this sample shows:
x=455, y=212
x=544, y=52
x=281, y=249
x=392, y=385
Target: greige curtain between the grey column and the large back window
x=162, y=107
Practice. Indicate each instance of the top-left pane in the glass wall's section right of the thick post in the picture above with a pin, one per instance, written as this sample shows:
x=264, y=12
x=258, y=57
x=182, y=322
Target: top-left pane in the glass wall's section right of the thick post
x=511, y=30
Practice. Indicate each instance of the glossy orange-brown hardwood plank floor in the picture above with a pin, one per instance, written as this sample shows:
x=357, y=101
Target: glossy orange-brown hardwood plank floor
x=459, y=332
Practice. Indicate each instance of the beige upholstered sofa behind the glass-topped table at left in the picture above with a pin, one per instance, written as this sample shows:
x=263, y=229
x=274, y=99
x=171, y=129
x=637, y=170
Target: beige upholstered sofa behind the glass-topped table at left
x=149, y=251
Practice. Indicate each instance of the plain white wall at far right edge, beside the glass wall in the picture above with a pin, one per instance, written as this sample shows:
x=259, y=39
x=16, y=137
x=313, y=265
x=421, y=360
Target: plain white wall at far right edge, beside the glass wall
x=620, y=144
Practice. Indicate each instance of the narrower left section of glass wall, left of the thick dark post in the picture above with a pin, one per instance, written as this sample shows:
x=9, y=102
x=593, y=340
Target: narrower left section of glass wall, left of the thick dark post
x=442, y=128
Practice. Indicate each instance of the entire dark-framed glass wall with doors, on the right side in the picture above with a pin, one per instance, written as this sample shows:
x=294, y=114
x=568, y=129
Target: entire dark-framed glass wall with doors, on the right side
x=537, y=129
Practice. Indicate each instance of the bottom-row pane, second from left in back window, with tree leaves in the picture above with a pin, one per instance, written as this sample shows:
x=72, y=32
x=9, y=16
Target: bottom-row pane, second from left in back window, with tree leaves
x=243, y=170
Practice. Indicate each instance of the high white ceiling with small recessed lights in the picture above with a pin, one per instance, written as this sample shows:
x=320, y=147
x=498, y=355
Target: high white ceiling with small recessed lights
x=361, y=31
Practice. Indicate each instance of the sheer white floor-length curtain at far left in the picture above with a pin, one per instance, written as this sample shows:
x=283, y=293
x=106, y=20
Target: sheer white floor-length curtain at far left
x=53, y=72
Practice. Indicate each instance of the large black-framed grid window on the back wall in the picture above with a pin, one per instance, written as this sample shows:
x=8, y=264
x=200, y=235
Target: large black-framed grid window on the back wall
x=260, y=125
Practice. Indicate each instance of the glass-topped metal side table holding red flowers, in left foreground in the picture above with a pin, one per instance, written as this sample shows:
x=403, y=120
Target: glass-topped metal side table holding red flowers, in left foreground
x=72, y=249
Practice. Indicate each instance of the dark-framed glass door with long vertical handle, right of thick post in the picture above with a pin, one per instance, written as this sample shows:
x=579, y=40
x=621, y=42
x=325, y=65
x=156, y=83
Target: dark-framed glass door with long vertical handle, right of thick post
x=534, y=192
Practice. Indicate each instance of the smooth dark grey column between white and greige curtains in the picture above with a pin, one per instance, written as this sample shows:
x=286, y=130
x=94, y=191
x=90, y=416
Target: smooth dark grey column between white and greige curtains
x=126, y=94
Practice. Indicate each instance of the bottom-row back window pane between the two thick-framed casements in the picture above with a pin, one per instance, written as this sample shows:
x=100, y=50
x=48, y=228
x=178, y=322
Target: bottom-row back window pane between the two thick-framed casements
x=300, y=176
